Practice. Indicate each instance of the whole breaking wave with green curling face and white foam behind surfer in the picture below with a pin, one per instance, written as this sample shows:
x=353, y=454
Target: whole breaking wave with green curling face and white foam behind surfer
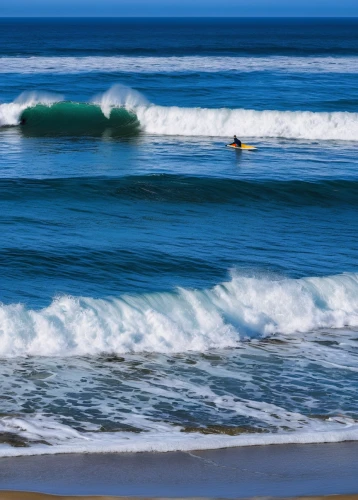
x=124, y=111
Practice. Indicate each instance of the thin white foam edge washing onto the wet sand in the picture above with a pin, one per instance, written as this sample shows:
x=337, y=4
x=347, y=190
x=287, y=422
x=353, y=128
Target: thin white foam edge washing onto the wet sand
x=63, y=439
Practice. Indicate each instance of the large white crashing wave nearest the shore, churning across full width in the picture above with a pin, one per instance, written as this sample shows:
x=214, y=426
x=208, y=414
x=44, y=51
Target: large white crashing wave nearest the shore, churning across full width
x=184, y=320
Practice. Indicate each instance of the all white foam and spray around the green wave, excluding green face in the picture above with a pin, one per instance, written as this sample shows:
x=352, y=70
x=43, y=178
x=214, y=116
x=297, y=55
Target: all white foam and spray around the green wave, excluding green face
x=223, y=122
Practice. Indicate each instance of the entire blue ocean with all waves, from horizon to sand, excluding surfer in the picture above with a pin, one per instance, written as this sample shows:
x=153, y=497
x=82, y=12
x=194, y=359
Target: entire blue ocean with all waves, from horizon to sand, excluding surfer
x=158, y=290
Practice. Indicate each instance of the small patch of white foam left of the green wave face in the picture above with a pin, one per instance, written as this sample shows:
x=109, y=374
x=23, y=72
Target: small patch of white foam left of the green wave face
x=10, y=113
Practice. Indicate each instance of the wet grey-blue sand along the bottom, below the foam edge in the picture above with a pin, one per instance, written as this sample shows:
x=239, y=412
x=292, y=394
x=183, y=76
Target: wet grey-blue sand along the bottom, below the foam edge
x=285, y=471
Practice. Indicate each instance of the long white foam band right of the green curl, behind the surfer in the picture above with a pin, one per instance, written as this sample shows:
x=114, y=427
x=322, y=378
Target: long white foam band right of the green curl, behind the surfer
x=248, y=123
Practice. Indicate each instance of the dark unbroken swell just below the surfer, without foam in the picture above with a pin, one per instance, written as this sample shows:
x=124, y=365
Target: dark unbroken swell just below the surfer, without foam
x=181, y=189
